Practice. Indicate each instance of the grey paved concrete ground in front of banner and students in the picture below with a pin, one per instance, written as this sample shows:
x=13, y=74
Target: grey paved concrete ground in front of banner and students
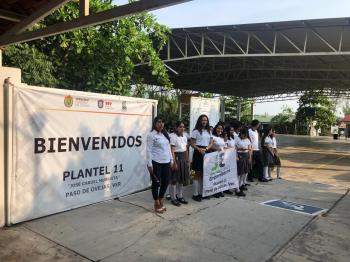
x=316, y=171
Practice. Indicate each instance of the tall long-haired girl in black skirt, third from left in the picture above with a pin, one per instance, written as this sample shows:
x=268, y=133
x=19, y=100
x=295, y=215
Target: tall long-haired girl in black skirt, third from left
x=201, y=141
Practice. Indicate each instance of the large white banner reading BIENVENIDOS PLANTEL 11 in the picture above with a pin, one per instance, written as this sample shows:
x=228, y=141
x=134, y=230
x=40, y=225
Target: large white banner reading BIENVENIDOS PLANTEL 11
x=75, y=148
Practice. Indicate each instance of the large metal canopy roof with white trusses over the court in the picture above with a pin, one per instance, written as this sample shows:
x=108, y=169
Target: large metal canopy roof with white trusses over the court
x=264, y=59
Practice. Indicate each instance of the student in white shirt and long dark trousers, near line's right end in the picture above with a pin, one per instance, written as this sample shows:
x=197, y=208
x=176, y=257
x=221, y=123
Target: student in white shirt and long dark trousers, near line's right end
x=257, y=161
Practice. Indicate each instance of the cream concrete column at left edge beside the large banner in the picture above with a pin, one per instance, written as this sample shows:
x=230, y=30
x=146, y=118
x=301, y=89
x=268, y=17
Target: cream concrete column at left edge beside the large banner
x=15, y=75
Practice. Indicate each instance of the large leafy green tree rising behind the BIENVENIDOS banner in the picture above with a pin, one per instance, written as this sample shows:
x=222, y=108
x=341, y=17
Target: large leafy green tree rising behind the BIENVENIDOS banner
x=97, y=59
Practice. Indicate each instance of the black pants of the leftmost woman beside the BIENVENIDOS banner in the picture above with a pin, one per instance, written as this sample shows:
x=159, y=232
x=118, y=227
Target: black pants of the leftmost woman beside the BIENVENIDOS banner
x=160, y=179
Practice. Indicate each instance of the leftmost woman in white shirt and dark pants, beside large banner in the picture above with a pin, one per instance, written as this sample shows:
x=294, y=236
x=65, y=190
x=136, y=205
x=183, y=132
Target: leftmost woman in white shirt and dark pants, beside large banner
x=159, y=161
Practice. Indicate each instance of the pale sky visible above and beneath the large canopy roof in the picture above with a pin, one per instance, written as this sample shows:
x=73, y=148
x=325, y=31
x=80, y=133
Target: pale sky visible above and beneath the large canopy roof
x=230, y=12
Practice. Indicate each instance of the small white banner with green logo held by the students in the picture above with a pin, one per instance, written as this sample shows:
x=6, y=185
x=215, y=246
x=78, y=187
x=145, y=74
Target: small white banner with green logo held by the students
x=219, y=172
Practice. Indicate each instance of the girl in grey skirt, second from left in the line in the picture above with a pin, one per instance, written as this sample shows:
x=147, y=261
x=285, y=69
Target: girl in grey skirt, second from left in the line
x=180, y=172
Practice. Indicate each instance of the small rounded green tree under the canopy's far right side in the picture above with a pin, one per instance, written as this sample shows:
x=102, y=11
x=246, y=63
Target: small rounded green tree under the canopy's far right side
x=314, y=106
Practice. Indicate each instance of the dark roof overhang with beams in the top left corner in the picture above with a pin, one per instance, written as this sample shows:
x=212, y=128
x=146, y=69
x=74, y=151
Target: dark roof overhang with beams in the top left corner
x=17, y=17
